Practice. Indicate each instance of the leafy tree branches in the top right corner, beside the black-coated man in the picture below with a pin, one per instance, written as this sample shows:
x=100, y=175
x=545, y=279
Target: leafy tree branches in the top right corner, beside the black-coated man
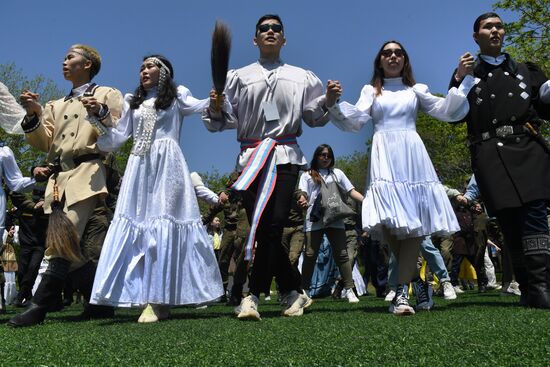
x=528, y=38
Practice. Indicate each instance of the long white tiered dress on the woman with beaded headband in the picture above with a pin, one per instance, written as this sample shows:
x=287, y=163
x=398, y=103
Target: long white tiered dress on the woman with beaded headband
x=156, y=250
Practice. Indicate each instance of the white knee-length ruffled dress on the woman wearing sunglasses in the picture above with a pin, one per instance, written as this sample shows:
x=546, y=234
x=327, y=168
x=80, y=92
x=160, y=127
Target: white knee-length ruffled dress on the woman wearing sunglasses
x=403, y=192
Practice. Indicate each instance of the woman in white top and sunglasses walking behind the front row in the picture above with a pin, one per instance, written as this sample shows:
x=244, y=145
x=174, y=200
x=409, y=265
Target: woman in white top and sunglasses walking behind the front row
x=322, y=172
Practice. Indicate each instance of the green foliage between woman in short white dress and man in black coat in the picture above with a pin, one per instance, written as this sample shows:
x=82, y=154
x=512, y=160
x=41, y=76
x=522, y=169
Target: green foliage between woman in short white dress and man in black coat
x=447, y=147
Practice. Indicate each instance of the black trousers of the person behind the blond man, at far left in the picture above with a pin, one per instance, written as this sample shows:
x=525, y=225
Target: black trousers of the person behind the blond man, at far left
x=28, y=263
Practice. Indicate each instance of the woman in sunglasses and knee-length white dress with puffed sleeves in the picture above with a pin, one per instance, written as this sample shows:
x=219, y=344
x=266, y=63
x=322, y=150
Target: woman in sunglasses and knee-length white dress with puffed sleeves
x=404, y=200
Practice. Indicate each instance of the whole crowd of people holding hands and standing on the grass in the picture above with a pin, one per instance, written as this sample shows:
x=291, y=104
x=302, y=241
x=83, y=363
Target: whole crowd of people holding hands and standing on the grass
x=140, y=240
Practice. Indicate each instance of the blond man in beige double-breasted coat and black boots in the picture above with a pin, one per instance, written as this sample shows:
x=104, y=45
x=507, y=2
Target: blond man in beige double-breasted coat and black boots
x=67, y=129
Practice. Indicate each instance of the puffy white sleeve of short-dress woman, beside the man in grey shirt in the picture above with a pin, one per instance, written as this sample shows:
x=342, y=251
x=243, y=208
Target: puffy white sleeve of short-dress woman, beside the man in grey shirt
x=348, y=117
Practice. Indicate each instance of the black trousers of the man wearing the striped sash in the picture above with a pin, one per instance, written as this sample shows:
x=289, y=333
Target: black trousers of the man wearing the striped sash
x=270, y=257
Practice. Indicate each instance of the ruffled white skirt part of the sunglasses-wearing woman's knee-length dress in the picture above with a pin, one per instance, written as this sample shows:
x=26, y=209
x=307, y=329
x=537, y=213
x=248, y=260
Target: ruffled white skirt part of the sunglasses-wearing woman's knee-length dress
x=404, y=193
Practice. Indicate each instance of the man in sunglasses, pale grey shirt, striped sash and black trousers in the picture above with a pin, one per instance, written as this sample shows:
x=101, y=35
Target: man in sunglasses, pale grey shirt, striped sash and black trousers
x=266, y=102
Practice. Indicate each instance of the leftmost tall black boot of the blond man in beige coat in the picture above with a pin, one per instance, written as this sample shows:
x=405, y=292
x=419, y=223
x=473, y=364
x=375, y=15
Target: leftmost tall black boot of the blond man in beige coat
x=48, y=291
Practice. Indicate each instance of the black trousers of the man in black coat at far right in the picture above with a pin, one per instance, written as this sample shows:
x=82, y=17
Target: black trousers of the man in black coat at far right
x=516, y=223
